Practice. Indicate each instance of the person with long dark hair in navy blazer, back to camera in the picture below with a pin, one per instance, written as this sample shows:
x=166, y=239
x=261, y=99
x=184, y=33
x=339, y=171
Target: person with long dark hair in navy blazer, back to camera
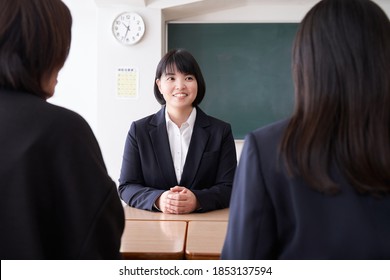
x=317, y=185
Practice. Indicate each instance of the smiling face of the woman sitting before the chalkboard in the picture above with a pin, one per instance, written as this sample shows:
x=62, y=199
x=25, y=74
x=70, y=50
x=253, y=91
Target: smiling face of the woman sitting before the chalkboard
x=179, y=89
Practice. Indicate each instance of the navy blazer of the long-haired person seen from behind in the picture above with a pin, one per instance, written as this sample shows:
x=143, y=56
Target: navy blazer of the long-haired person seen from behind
x=273, y=216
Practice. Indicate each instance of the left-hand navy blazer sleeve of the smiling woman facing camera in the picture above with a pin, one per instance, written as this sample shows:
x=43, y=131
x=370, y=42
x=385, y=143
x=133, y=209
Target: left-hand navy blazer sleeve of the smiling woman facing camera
x=132, y=188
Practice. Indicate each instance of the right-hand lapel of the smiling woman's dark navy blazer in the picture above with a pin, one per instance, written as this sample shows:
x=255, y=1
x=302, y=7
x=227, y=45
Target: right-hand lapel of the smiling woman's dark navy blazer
x=196, y=149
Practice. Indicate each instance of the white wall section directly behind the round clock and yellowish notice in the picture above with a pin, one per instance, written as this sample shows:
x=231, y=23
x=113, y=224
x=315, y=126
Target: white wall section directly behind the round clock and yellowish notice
x=115, y=114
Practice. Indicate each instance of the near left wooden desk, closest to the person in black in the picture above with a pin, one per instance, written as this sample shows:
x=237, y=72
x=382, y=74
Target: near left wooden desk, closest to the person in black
x=153, y=240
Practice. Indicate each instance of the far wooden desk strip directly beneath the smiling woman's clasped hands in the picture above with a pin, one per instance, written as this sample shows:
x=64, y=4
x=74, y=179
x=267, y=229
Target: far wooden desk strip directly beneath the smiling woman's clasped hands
x=132, y=213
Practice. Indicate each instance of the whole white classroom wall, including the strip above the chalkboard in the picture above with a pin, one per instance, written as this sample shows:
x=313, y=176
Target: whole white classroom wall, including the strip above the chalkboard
x=87, y=83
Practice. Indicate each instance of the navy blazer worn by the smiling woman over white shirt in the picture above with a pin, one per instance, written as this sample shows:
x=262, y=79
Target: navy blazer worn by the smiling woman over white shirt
x=148, y=171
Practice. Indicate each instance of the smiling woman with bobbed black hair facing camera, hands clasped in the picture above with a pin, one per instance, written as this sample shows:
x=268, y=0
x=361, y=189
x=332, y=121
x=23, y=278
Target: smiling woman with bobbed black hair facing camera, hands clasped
x=179, y=160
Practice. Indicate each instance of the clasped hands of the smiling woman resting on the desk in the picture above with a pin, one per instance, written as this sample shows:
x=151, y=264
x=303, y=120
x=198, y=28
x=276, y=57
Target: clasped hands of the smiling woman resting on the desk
x=177, y=200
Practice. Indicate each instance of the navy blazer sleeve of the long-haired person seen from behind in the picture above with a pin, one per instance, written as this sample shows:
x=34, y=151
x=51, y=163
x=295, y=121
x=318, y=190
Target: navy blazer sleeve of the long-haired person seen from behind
x=251, y=232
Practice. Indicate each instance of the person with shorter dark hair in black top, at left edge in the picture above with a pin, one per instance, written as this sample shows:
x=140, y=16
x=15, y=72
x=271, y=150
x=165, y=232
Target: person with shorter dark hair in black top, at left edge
x=57, y=200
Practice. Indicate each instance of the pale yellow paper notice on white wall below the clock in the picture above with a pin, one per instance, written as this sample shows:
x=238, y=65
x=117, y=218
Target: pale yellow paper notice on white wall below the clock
x=127, y=82
